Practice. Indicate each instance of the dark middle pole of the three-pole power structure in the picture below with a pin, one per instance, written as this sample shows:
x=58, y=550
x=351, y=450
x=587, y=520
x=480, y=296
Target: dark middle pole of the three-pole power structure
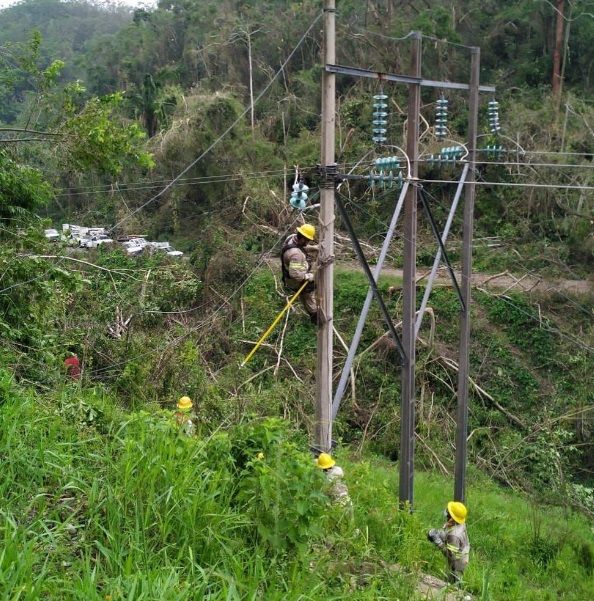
x=407, y=403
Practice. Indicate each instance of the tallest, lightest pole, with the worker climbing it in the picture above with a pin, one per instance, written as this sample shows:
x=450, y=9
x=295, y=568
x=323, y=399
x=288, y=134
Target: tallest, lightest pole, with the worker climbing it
x=325, y=271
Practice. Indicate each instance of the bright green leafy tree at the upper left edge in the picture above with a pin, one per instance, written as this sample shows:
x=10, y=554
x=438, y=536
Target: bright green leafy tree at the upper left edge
x=87, y=134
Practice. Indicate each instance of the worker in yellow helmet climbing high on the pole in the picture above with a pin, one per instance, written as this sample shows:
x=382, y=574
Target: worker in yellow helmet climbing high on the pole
x=296, y=266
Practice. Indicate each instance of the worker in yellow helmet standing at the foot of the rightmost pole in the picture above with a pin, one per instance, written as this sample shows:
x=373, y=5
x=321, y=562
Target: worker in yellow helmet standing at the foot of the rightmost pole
x=452, y=539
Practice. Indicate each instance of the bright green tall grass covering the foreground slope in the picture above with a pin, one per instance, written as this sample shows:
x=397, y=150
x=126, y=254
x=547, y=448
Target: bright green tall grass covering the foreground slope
x=102, y=503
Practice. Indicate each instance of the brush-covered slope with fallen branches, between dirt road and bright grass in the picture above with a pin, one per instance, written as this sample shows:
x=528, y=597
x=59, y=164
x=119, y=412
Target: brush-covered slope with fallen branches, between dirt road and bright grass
x=190, y=329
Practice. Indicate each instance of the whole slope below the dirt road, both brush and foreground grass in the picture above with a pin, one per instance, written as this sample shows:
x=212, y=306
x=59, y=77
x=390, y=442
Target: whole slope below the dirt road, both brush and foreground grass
x=103, y=499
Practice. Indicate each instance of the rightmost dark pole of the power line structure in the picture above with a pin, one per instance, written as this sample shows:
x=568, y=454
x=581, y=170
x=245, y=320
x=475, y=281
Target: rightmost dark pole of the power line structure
x=463, y=372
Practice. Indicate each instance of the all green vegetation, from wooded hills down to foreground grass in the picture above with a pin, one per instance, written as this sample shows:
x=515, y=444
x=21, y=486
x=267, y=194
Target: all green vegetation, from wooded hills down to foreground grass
x=100, y=109
